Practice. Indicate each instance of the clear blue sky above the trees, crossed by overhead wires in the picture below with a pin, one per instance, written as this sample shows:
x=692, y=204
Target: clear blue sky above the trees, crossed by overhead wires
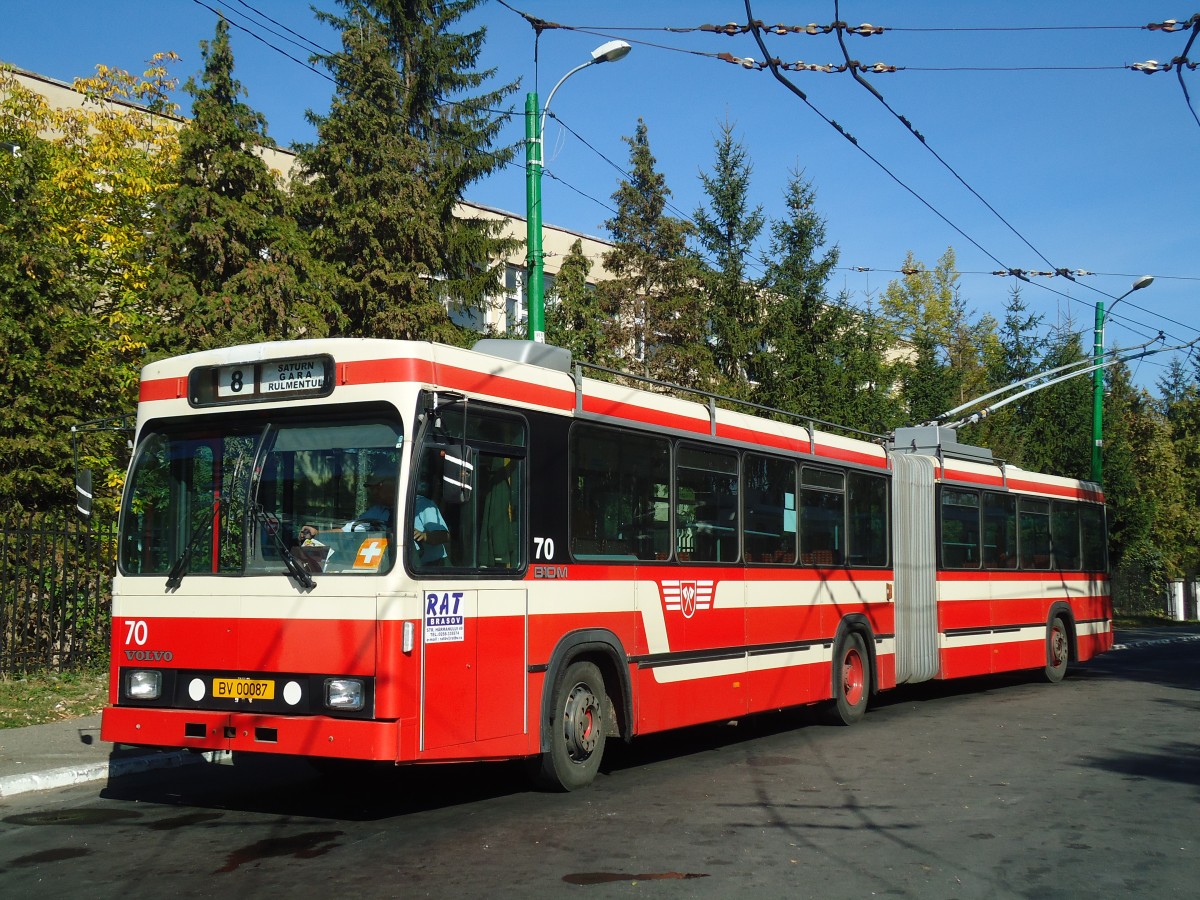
x=1093, y=166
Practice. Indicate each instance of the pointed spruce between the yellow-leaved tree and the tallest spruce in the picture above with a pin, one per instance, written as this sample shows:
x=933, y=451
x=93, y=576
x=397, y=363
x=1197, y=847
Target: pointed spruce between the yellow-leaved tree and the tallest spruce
x=233, y=266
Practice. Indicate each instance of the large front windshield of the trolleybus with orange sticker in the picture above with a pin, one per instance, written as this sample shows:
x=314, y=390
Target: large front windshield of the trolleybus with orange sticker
x=262, y=499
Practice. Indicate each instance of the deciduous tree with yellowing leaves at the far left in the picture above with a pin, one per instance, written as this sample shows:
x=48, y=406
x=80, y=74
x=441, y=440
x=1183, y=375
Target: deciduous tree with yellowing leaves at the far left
x=76, y=215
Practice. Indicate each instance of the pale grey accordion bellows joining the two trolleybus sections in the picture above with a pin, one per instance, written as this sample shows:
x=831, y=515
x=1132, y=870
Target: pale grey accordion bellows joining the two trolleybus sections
x=916, y=568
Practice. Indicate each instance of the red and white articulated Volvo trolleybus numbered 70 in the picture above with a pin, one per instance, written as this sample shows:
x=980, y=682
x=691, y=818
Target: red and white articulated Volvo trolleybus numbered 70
x=416, y=554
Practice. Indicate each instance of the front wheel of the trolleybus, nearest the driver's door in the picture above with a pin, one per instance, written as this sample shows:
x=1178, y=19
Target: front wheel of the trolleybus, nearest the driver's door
x=577, y=730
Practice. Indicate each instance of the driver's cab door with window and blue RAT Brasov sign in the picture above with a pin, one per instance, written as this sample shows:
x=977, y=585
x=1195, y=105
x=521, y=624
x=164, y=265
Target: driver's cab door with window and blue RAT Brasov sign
x=467, y=512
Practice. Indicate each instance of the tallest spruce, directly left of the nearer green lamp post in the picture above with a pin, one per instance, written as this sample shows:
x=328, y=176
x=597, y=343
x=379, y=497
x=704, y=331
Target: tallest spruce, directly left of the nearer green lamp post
x=409, y=130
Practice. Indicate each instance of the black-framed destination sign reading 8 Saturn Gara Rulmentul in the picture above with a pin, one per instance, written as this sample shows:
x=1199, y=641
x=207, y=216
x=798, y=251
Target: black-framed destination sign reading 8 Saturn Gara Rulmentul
x=263, y=381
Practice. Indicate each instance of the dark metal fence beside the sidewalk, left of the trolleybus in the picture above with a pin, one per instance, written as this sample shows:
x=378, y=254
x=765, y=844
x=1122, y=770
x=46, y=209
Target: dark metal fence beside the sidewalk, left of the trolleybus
x=56, y=592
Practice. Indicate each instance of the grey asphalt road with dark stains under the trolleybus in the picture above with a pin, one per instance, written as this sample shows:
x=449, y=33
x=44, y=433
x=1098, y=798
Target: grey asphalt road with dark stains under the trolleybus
x=998, y=788
